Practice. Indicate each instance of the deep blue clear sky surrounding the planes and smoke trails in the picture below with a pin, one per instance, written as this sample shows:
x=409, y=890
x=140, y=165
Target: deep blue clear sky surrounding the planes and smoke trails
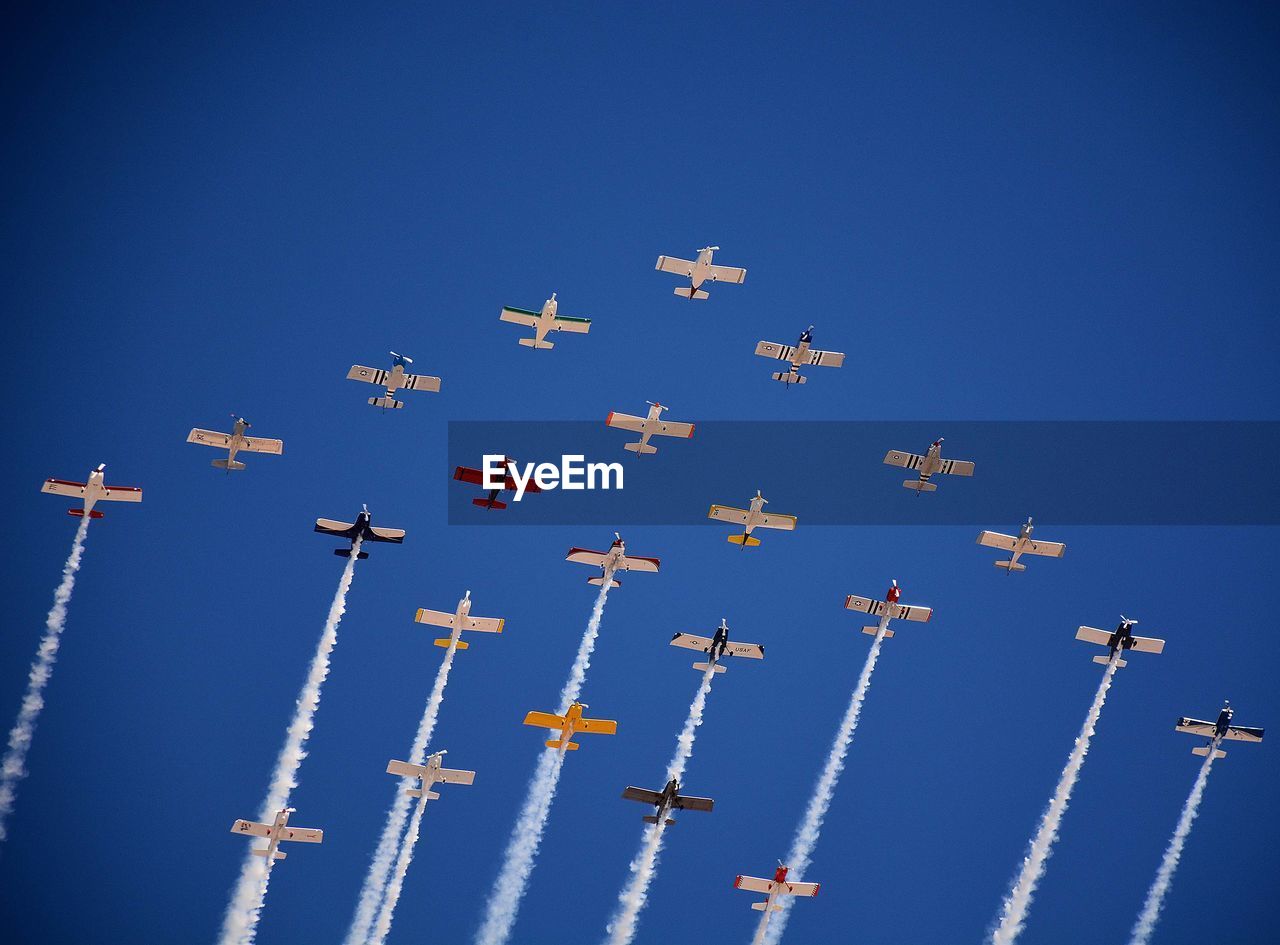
x=998, y=213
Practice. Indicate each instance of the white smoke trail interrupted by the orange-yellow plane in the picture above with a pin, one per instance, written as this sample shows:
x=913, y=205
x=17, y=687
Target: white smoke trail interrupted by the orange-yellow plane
x=528, y=834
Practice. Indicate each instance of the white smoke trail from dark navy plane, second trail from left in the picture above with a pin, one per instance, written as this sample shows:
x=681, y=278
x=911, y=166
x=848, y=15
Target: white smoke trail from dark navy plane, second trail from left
x=240, y=925
